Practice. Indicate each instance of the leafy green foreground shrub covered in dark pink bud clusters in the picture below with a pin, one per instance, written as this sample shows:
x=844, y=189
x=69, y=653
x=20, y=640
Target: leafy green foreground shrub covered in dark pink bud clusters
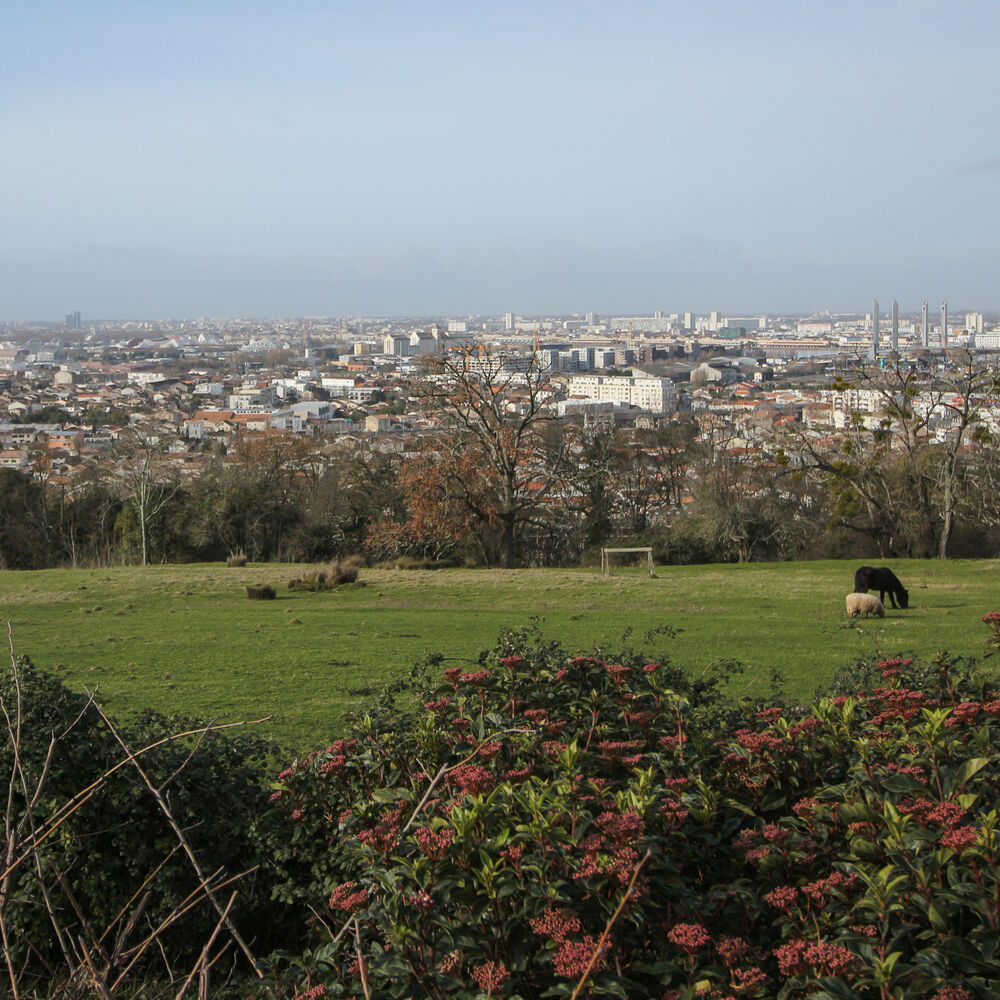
x=537, y=824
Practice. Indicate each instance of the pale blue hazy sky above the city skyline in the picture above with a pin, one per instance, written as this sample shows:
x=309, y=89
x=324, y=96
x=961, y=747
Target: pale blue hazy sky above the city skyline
x=187, y=158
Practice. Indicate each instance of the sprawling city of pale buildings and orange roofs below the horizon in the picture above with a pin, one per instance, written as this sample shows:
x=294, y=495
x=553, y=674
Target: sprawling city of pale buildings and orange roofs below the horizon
x=67, y=392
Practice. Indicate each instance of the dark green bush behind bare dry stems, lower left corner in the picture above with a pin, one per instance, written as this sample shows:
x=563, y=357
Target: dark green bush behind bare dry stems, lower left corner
x=111, y=852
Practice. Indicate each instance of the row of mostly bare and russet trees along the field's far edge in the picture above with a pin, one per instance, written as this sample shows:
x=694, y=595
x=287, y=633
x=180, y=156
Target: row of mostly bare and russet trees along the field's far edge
x=503, y=482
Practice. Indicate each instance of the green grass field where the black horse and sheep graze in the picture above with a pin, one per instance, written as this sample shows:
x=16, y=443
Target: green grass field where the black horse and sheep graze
x=185, y=639
